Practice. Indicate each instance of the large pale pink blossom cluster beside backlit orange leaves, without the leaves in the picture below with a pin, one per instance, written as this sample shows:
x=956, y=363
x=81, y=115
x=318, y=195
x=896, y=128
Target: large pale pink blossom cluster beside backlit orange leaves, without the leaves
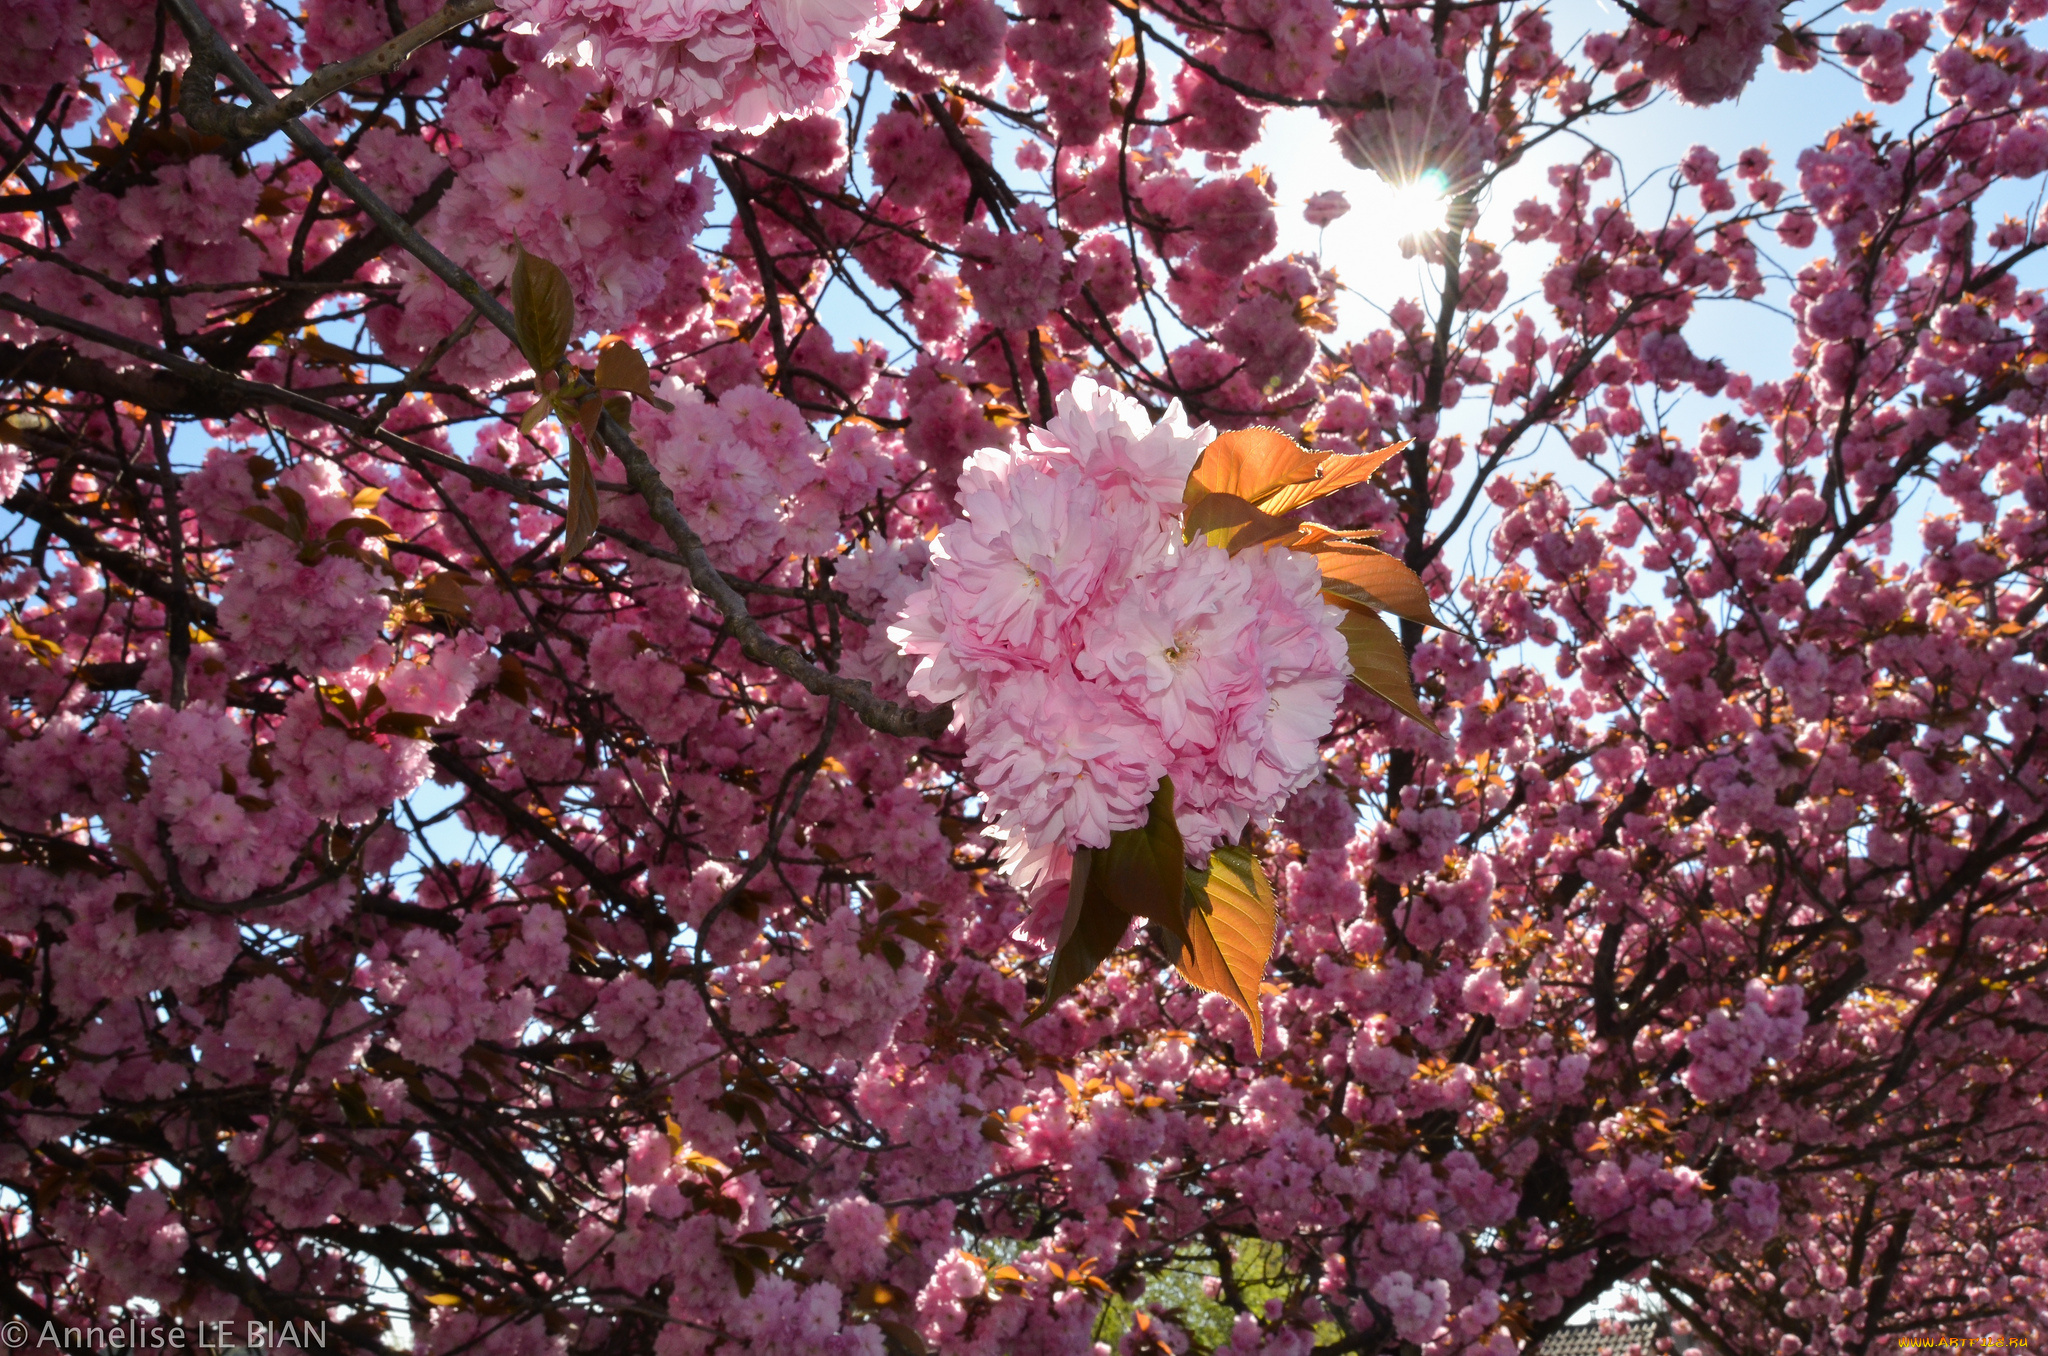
x=1091, y=652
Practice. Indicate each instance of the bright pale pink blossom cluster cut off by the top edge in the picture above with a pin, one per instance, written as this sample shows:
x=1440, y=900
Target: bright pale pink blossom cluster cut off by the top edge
x=726, y=65
